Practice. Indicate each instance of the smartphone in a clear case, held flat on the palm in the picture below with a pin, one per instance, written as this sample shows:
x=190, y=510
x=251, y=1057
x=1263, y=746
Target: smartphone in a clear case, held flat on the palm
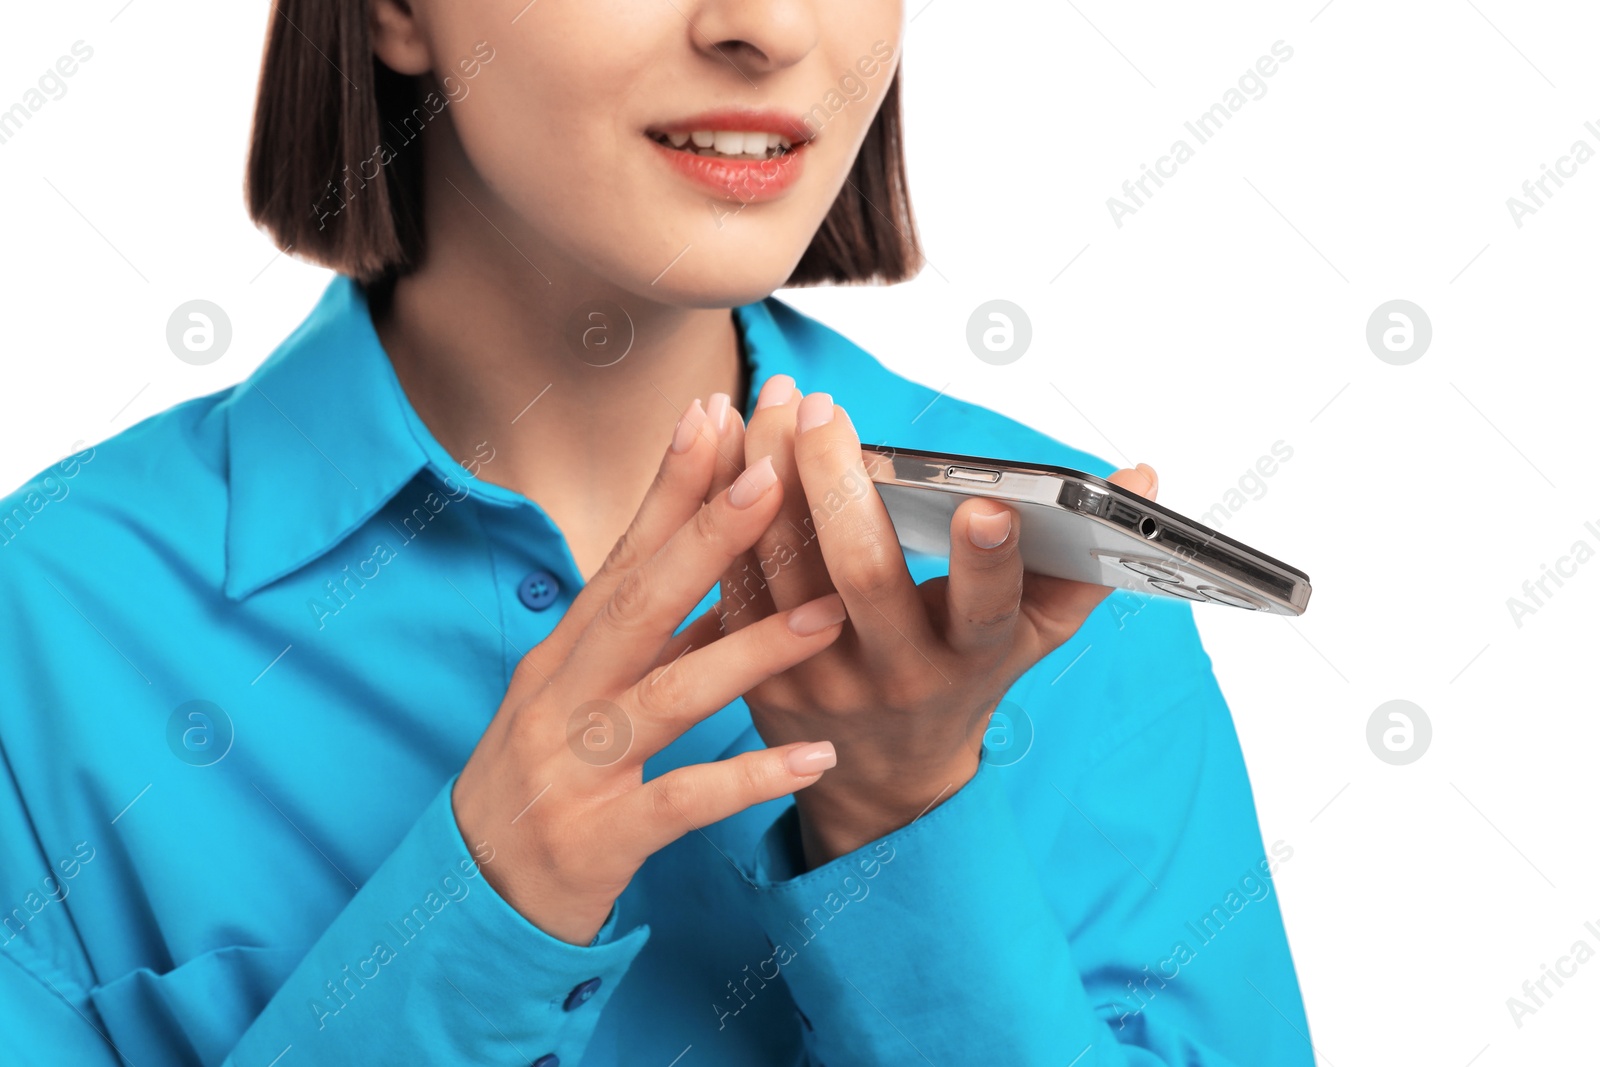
x=1081, y=527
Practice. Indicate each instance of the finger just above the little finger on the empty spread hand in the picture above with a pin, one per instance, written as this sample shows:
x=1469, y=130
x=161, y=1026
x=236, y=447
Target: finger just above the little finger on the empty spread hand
x=676, y=697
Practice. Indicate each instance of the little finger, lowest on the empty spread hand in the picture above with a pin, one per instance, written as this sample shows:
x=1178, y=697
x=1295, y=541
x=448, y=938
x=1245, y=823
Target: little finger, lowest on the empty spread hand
x=692, y=797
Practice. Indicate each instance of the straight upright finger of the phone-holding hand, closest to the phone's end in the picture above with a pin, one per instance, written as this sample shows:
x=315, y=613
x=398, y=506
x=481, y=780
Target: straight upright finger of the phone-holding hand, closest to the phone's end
x=863, y=556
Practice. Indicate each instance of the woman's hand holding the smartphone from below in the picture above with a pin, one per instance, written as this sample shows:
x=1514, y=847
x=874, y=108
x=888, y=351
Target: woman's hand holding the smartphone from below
x=906, y=693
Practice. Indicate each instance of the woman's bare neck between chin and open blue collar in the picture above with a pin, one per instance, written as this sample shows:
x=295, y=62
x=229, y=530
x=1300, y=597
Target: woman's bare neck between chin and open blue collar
x=572, y=398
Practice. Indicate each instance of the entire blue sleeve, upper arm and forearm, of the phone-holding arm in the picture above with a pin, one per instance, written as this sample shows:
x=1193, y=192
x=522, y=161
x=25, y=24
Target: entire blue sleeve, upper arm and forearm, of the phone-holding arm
x=1106, y=900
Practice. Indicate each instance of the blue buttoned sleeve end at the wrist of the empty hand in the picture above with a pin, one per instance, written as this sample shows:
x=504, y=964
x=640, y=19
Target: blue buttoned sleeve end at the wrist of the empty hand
x=430, y=964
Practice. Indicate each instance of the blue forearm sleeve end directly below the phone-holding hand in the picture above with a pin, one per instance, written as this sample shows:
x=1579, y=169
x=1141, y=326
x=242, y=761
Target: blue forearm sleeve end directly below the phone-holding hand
x=954, y=901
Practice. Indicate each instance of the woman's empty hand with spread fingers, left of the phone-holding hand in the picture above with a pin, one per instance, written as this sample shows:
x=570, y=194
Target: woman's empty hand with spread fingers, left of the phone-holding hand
x=556, y=785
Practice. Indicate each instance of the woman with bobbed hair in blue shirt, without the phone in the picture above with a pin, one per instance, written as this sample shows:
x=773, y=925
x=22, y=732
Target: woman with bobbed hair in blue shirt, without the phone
x=354, y=716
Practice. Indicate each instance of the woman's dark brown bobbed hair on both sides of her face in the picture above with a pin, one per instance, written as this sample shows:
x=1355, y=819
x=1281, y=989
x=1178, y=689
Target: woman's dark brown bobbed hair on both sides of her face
x=329, y=113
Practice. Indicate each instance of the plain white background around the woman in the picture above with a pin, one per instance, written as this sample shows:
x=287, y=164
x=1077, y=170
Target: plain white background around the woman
x=1225, y=316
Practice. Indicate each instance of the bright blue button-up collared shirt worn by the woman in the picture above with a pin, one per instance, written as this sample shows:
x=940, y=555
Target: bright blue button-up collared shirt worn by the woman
x=252, y=641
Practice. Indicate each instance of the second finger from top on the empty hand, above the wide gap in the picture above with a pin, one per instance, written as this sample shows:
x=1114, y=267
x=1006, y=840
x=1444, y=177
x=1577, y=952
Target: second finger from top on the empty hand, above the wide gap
x=649, y=602
